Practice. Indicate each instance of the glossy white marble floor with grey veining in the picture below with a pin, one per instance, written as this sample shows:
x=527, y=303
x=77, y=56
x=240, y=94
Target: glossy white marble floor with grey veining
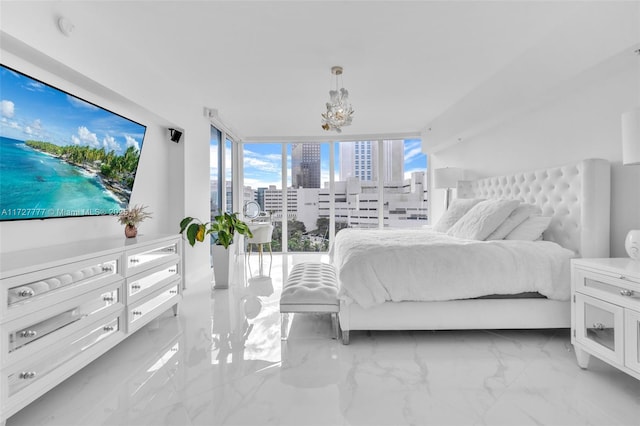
x=221, y=362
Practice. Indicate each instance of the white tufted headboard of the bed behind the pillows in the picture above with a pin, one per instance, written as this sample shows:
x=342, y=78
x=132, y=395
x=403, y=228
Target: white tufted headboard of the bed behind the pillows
x=577, y=196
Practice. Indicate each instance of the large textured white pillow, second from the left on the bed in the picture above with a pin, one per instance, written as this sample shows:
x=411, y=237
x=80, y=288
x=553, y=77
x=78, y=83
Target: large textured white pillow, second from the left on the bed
x=483, y=219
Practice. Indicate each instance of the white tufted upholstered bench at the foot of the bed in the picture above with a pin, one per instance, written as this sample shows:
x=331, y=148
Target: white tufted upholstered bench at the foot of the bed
x=311, y=288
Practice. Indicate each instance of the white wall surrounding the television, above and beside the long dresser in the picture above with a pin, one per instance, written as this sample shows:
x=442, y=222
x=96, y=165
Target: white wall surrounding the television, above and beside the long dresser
x=170, y=189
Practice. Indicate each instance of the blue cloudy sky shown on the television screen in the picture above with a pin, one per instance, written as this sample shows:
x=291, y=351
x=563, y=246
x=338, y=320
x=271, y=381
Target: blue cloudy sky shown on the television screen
x=32, y=110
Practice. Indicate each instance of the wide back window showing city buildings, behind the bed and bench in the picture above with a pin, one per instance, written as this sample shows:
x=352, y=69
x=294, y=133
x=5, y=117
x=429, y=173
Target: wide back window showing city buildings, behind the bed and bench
x=374, y=184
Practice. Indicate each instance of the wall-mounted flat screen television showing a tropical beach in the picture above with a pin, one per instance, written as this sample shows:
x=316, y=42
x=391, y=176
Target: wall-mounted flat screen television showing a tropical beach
x=62, y=156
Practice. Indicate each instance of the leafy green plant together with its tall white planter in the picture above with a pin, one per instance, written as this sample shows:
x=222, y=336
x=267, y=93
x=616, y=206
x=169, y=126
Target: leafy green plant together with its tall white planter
x=222, y=230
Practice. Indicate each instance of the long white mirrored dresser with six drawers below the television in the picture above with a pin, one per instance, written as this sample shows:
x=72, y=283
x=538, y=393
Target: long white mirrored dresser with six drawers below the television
x=63, y=306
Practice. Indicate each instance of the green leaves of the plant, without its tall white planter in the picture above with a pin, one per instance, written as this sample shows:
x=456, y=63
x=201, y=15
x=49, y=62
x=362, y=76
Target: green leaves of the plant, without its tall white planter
x=222, y=228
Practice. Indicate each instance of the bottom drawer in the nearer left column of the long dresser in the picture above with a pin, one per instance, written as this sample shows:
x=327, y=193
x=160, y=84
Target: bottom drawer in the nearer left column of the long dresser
x=29, y=373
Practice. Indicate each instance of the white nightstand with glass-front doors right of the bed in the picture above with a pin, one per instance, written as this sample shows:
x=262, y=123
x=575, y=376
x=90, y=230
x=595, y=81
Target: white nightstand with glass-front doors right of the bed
x=605, y=312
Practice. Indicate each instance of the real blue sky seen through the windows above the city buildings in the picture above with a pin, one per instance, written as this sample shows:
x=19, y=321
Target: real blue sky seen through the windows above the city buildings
x=262, y=162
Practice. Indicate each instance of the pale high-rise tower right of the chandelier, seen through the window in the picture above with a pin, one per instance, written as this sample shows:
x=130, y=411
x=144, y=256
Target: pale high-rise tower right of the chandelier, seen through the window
x=360, y=159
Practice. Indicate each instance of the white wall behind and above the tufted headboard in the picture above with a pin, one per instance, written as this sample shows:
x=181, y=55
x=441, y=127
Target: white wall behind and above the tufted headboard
x=581, y=120
